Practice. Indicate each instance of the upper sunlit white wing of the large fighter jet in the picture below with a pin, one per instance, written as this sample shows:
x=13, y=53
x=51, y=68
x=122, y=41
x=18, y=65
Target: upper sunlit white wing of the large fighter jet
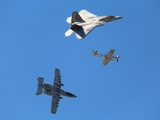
x=85, y=14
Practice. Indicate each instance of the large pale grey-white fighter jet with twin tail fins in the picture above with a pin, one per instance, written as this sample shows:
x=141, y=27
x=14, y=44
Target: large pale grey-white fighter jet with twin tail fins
x=84, y=22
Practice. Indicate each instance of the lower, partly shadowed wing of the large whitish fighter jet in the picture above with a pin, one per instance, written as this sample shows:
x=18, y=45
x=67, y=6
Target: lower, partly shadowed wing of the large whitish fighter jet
x=82, y=32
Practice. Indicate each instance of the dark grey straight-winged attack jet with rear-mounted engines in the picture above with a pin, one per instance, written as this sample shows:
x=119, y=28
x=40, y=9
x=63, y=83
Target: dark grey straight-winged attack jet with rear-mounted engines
x=53, y=90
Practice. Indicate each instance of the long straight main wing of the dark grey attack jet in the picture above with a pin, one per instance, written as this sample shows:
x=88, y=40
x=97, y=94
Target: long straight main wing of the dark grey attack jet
x=56, y=91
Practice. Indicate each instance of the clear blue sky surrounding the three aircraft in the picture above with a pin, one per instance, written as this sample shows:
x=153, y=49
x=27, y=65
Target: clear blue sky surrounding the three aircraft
x=32, y=44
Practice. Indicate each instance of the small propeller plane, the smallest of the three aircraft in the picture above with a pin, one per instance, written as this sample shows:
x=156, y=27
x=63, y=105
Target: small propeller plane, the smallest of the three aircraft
x=106, y=58
